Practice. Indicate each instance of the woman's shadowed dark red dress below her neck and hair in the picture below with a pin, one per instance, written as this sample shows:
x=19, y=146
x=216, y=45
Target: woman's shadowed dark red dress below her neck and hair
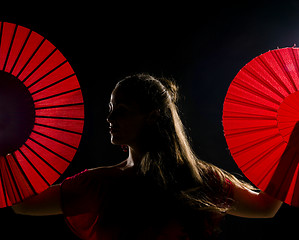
x=109, y=203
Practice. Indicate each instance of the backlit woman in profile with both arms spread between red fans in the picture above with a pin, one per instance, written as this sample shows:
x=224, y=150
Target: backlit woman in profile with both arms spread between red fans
x=162, y=190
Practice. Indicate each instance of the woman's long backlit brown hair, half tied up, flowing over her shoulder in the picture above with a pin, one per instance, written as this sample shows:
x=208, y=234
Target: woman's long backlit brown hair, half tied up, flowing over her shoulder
x=169, y=159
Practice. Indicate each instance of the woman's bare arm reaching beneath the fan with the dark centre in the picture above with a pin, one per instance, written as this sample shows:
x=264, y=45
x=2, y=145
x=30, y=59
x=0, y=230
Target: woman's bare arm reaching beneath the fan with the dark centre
x=45, y=203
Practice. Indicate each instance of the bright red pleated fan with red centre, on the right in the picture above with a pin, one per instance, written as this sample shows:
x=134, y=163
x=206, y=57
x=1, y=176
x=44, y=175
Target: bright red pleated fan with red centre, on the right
x=260, y=111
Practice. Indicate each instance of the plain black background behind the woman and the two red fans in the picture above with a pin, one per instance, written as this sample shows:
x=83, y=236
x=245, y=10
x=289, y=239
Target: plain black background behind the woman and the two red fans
x=202, y=46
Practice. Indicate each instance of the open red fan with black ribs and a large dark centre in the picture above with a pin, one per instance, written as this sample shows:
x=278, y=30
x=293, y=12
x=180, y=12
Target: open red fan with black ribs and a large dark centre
x=41, y=113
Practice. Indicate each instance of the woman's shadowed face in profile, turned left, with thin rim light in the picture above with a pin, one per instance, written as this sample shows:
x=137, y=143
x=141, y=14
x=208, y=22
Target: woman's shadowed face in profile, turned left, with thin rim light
x=125, y=118
